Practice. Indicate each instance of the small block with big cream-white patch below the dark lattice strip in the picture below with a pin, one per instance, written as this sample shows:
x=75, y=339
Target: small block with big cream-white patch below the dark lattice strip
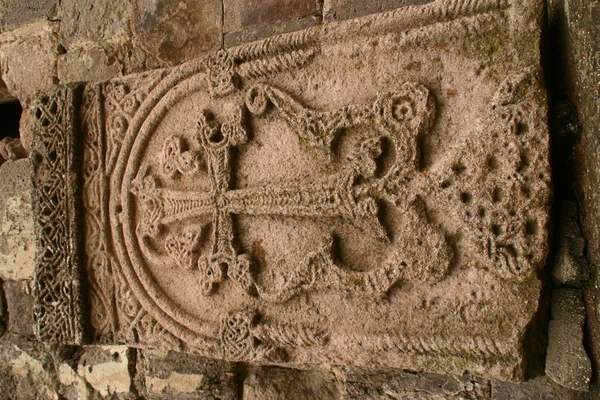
x=105, y=368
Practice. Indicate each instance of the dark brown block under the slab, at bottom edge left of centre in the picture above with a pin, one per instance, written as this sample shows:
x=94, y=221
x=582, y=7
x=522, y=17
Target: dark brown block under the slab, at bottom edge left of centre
x=272, y=383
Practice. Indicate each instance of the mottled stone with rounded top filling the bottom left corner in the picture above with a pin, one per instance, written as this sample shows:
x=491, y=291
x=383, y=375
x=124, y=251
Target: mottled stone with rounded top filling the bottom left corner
x=26, y=370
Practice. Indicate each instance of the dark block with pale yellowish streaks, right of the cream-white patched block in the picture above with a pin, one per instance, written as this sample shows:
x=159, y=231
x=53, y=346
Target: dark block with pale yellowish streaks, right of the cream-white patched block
x=171, y=375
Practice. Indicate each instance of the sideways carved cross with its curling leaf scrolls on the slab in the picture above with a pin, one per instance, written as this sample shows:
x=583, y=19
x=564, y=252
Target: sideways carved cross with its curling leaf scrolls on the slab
x=350, y=194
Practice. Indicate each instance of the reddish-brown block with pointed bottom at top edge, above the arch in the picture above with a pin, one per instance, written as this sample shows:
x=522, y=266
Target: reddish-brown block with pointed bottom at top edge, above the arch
x=176, y=31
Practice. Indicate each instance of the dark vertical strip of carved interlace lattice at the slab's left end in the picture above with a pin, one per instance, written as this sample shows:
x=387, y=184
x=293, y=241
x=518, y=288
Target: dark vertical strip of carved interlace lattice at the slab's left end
x=56, y=200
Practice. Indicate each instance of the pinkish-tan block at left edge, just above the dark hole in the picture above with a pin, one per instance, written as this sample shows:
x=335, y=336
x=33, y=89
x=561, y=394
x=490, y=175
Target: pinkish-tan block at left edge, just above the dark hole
x=28, y=59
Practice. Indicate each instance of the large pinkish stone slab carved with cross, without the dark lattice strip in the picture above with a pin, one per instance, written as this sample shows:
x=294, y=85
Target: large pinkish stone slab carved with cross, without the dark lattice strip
x=373, y=192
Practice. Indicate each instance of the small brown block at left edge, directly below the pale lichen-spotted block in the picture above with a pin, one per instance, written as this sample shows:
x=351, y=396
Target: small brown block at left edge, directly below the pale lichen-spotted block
x=19, y=304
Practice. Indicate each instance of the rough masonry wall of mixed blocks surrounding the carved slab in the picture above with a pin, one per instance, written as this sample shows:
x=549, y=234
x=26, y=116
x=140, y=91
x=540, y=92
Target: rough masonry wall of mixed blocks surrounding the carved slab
x=46, y=43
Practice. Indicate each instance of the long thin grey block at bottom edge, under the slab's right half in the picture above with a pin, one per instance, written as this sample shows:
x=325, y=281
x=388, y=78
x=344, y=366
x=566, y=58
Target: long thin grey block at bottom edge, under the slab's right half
x=363, y=384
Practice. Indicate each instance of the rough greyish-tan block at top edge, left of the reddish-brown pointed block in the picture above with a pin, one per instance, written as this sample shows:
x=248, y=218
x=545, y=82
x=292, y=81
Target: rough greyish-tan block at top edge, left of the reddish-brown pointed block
x=84, y=22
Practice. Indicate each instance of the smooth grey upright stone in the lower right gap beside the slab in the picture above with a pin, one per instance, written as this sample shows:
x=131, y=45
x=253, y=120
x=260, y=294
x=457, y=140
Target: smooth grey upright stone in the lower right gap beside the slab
x=566, y=360
